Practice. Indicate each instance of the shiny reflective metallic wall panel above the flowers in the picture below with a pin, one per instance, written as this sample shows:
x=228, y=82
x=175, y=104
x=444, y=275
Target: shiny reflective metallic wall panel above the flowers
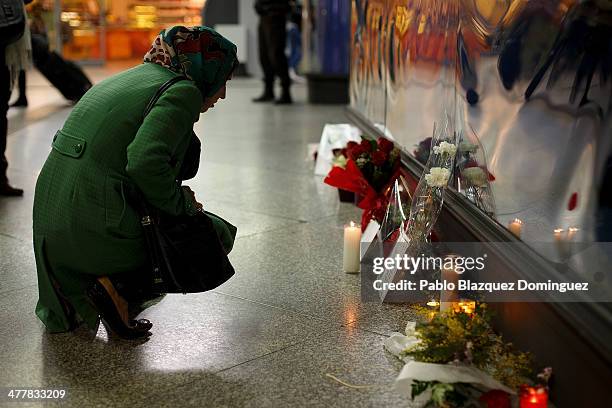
x=527, y=86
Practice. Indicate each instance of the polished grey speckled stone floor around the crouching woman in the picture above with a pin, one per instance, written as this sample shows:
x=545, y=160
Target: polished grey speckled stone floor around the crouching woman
x=267, y=338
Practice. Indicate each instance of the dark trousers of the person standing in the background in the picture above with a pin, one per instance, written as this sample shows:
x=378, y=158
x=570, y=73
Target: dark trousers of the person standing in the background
x=272, y=41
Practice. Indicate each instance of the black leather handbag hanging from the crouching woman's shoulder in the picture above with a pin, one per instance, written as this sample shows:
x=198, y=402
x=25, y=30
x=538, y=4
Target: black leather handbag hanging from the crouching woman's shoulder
x=186, y=253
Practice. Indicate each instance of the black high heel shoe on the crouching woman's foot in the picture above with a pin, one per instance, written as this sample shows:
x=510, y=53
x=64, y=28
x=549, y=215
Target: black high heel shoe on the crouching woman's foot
x=109, y=305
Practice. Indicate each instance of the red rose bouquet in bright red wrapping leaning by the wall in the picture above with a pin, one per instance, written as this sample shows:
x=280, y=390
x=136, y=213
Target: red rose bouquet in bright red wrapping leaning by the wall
x=367, y=169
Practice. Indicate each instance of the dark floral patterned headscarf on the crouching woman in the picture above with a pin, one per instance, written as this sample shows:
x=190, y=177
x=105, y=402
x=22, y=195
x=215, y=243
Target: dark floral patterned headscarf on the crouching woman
x=199, y=53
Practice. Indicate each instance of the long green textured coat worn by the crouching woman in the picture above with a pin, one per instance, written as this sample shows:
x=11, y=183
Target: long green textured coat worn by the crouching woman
x=83, y=226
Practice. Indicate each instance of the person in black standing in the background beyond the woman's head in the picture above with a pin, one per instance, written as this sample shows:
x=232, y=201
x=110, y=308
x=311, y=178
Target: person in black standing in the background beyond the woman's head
x=272, y=42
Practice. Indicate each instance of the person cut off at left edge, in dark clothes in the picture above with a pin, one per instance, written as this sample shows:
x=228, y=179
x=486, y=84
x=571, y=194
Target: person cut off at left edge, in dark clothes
x=16, y=56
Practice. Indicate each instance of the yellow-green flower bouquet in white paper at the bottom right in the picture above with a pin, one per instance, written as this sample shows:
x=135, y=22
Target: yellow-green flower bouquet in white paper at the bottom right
x=456, y=359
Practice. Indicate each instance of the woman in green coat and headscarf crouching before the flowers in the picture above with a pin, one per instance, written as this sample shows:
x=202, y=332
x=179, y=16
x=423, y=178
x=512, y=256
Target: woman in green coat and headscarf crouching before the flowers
x=85, y=230
